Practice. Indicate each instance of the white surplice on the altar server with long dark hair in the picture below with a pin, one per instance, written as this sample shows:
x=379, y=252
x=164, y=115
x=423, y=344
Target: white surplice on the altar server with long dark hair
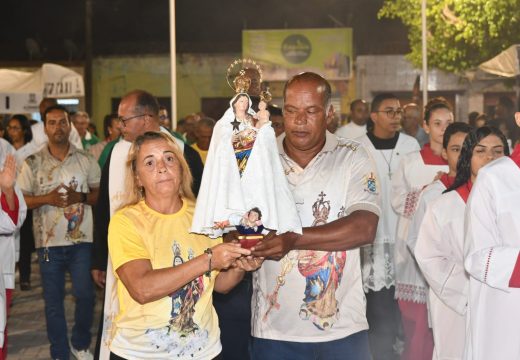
x=439, y=253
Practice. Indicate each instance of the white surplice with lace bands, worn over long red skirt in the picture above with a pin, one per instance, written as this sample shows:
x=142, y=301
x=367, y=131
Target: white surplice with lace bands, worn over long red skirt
x=413, y=175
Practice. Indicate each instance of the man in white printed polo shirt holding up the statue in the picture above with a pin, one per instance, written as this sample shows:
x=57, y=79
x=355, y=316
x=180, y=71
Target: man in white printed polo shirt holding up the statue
x=308, y=300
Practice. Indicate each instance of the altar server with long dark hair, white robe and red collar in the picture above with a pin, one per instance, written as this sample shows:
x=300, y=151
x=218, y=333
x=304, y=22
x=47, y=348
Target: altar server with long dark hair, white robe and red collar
x=440, y=244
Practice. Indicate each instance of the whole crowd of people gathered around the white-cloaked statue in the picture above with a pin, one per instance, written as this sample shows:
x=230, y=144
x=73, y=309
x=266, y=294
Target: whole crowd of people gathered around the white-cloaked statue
x=409, y=246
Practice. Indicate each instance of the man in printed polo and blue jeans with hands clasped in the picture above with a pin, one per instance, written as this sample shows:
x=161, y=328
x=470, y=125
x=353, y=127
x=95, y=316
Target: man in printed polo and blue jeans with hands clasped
x=60, y=182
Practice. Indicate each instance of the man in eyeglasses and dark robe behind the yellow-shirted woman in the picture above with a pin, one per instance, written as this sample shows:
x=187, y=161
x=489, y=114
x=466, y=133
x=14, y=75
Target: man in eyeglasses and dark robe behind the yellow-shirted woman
x=138, y=112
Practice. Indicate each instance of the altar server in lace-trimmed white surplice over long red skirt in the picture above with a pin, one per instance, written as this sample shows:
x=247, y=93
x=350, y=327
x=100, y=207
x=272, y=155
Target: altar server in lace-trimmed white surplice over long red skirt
x=417, y=170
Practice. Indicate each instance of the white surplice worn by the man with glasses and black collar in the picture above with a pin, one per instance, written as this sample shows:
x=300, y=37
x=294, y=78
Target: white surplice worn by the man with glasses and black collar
x=377, y=259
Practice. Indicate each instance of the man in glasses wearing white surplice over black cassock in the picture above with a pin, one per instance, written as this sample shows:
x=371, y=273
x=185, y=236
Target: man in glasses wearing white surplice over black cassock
x=387, y=147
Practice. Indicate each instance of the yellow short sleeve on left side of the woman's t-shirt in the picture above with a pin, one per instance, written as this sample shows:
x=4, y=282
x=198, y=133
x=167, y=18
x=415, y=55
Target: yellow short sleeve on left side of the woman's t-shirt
x=124, y=242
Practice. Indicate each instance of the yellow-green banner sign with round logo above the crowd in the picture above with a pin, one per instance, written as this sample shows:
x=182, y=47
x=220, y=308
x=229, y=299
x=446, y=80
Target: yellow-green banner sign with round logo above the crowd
x=284, y=53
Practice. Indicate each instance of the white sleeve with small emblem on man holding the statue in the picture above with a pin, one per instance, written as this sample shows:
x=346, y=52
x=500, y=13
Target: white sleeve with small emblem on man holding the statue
x=363, y=192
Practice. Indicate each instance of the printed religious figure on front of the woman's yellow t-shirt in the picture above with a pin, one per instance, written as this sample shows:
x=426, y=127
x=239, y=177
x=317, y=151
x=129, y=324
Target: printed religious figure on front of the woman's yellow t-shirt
x=182, y=337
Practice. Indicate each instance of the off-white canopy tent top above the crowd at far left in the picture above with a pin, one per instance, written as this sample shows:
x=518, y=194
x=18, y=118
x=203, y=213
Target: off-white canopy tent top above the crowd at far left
x=22, y=91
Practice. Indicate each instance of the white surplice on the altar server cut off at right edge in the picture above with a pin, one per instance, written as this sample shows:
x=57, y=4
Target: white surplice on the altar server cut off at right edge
x=491, y=250
